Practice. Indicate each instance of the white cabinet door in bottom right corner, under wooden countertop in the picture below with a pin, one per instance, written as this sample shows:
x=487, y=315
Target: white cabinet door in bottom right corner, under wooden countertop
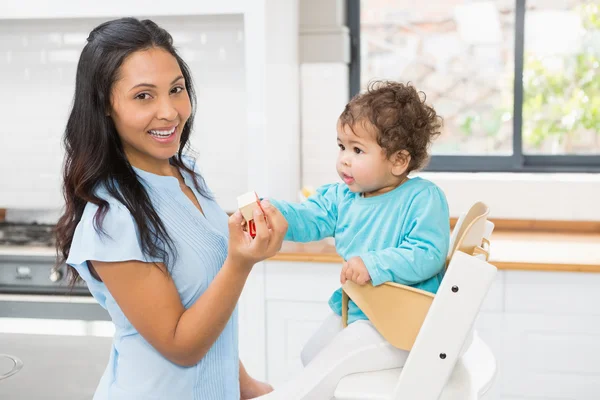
x=551, y=330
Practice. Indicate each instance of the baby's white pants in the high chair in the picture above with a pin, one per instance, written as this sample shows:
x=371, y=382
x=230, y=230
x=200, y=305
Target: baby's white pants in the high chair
x=332, y=353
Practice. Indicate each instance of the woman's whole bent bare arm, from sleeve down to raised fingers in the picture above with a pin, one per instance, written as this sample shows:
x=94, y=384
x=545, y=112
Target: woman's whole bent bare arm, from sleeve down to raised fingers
x=149, y=299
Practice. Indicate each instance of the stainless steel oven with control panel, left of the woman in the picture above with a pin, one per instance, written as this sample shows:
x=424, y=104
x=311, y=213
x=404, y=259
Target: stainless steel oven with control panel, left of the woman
x=54, y=340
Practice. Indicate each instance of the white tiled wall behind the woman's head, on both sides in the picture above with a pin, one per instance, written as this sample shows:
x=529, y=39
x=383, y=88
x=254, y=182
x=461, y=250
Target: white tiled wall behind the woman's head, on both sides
x=38, y=62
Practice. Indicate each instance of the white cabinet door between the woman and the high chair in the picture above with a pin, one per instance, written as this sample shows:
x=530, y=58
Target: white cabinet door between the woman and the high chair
x=296, y=304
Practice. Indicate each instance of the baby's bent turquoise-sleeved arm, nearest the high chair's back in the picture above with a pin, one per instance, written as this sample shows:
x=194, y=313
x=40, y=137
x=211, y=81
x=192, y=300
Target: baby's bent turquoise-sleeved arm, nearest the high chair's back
x=422, y=253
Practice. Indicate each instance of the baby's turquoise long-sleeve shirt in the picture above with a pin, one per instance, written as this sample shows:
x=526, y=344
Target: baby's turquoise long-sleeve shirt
x=402, y=236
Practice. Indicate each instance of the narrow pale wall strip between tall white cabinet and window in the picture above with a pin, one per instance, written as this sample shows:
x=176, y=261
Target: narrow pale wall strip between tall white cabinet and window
x=325, y=54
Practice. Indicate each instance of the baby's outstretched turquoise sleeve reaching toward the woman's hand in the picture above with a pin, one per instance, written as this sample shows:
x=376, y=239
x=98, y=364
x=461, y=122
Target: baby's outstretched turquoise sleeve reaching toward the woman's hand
x=313, y=219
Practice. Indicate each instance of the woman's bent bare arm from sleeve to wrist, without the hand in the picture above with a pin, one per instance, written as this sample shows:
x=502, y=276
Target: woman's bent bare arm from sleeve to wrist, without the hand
x=148, y=298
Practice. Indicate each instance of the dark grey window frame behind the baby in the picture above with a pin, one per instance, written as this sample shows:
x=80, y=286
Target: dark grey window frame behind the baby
x=516, y=162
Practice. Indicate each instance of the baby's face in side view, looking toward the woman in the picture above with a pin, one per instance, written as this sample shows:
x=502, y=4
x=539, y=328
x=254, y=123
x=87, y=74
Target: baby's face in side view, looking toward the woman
x=362, y=163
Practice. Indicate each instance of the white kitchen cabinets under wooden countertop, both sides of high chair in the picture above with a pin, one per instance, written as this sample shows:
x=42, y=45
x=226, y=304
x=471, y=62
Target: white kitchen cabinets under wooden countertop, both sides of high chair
x=542, y=327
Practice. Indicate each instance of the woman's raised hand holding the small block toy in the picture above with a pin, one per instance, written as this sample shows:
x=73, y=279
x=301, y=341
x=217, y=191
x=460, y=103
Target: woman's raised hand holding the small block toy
x=271, y=228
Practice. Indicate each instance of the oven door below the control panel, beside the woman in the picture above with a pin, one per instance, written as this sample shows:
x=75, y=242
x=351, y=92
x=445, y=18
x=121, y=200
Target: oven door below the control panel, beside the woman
x=62, y=341
